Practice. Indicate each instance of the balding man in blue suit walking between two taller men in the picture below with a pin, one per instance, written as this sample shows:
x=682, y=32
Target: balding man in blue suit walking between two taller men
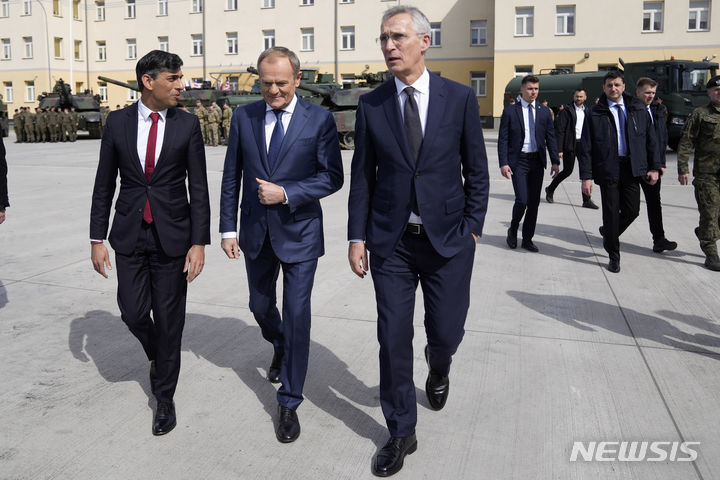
x=288, y=151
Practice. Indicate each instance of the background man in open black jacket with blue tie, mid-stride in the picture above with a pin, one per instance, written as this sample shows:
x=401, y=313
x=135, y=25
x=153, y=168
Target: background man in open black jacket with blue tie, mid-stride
x=618, y=150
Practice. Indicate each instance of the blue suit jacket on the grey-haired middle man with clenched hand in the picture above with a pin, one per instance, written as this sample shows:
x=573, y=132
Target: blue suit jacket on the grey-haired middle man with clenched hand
x=309, y=167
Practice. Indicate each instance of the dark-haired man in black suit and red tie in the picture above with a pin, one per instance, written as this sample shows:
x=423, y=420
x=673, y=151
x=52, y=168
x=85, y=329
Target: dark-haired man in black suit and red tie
x=159, y=236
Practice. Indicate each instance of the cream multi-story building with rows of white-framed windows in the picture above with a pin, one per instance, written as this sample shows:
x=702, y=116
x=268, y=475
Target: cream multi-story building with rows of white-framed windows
x=481, y=43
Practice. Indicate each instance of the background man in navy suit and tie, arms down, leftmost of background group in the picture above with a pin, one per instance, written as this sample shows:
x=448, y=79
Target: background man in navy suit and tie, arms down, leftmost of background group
x=526, y=130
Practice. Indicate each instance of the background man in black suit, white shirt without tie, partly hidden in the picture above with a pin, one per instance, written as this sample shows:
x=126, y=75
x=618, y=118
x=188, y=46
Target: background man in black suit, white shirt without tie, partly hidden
x=568, y=130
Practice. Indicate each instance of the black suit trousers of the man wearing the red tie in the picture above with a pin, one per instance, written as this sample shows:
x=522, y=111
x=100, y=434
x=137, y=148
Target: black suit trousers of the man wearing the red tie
x=149, y=280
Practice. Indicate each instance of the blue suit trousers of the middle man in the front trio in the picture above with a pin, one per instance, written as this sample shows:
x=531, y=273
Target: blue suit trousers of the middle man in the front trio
x=289, y=334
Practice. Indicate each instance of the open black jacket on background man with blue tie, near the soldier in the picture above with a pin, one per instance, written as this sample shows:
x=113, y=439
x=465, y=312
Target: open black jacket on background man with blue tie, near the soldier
x=598, y=158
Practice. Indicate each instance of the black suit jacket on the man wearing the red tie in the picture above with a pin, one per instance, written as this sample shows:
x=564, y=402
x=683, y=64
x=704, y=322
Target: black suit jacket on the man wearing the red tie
x=180, y=223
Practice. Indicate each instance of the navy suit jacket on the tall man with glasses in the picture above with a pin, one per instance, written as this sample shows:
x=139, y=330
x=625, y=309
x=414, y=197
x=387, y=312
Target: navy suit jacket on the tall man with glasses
x=383, y=173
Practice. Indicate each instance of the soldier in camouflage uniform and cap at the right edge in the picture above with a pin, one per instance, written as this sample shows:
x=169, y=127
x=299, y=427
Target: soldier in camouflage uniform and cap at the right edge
x=702, y=134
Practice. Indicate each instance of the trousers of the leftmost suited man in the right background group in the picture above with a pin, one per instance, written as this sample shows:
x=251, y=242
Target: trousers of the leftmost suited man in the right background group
x=527, y=183
